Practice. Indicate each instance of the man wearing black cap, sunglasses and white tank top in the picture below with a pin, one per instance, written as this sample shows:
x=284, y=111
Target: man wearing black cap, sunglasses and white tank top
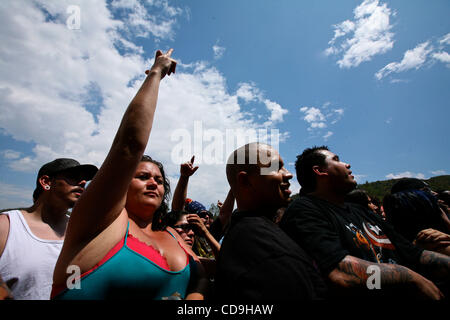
x=31, y=239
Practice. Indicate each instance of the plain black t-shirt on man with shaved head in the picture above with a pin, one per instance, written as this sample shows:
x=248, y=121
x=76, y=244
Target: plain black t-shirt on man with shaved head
x=259, y=262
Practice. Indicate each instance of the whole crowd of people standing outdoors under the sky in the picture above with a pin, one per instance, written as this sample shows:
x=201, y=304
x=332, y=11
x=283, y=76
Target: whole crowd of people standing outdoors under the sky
x=122, y=239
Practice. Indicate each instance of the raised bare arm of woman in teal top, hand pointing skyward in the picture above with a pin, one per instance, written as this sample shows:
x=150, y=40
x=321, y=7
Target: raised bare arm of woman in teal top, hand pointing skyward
x=104, y=199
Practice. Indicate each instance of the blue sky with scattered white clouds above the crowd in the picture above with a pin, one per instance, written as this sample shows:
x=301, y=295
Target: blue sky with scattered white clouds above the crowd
x=367, y=78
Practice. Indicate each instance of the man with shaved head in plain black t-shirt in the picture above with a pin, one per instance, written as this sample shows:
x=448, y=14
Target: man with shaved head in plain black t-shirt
x=257, y=260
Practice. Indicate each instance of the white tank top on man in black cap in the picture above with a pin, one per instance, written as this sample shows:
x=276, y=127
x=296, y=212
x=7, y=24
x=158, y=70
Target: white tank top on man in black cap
x=29, y=259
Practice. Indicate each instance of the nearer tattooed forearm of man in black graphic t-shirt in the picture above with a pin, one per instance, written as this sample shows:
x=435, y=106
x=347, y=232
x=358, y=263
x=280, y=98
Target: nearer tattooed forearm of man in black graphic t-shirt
x=353, y=272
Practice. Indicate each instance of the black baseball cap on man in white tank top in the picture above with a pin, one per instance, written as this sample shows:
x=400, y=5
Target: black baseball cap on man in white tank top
x=59, y=165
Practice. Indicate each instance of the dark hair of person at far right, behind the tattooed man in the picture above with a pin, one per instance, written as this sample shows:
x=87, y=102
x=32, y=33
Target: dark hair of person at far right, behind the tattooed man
x=412, y=211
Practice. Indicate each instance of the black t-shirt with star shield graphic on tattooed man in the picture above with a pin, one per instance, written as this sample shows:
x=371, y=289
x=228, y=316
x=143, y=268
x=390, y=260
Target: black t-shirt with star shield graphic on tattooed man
x=329, y=232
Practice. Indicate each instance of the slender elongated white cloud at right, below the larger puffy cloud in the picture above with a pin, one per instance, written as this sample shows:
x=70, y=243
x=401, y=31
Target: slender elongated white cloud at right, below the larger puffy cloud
x=413, y=59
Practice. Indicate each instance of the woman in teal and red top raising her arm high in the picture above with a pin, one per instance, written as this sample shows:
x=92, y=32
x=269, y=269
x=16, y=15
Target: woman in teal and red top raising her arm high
x=111, y=240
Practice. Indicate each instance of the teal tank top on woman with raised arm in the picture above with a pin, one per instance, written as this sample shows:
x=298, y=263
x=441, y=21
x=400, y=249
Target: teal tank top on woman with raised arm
x=129, y=275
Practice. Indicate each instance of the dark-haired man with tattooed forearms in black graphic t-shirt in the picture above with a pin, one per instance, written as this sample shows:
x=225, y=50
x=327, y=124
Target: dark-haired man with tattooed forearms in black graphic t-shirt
x=355, y=250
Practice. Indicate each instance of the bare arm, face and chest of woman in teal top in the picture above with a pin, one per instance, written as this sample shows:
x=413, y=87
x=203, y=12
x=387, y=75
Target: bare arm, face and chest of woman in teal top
x=126, y=193
